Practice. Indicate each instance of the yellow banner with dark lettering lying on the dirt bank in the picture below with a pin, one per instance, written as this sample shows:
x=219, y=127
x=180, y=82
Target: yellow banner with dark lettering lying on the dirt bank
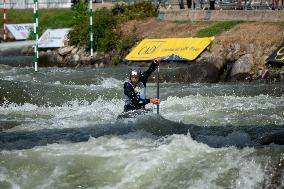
x=187, y=48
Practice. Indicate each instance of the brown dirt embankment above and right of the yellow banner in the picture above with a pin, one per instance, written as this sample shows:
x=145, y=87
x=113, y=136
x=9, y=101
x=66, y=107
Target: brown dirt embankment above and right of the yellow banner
x=247, y=43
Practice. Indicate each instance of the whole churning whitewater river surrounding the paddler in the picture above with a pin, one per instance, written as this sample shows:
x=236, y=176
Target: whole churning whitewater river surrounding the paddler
x=59, y=130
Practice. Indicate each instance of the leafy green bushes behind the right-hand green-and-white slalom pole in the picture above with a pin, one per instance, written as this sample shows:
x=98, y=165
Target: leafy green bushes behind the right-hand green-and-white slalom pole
x=106, y=34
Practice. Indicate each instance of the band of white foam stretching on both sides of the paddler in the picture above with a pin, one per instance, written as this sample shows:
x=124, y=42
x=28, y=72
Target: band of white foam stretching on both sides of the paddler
x=198, y=110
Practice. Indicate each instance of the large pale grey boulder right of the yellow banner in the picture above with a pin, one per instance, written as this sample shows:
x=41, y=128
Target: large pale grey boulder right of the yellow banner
x=242, y=66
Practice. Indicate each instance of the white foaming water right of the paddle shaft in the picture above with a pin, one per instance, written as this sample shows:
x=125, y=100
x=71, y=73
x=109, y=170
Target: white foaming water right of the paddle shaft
x=224, y=110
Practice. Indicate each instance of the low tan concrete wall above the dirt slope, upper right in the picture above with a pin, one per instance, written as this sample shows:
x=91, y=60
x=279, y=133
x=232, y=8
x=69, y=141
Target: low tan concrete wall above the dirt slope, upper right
x=222, y=15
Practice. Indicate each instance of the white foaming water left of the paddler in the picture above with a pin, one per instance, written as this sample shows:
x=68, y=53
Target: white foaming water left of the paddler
x=69, y=115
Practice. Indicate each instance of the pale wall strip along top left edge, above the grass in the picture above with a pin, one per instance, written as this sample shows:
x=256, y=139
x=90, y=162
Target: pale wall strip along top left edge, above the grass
x=23, y=4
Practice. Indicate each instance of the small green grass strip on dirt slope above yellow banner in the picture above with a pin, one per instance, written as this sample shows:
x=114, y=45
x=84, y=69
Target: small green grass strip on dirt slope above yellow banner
x=217, y=28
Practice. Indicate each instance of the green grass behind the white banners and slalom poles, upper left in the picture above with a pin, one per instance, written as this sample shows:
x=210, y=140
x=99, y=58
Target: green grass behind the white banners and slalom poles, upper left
x=48, y=18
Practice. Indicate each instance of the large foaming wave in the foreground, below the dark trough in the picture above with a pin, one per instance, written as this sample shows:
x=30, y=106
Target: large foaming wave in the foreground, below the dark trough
x=137, y=160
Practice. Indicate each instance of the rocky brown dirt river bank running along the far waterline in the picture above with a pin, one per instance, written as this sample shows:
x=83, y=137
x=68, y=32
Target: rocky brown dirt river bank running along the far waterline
x=238, y=54
